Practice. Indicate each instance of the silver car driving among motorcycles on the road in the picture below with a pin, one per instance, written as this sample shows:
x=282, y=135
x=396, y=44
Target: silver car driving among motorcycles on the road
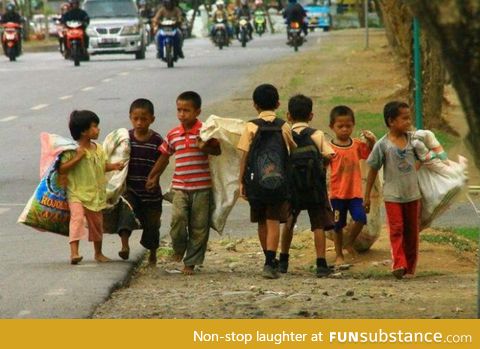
x=115, y=27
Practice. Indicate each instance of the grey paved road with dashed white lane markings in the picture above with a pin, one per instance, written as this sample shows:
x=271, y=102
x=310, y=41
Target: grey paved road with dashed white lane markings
x=38, y=93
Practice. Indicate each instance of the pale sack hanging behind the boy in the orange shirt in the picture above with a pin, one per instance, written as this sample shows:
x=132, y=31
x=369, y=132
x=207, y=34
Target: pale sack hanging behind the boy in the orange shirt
x=371, y=230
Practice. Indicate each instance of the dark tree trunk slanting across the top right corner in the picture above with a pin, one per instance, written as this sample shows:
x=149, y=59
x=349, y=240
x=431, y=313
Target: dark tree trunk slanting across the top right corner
x=455, y=26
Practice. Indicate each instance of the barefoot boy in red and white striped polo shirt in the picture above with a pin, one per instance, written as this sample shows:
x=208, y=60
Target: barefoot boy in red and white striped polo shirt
x=191, y=183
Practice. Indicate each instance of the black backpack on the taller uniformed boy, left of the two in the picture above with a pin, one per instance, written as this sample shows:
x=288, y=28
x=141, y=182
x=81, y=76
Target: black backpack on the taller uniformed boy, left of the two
x=266, y=174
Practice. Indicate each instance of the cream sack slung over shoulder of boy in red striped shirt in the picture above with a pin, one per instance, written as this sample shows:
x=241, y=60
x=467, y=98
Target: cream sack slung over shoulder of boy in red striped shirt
x=224, y=168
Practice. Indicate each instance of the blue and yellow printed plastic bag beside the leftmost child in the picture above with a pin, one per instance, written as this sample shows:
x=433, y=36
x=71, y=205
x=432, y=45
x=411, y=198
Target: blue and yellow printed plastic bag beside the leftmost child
x=47, y=209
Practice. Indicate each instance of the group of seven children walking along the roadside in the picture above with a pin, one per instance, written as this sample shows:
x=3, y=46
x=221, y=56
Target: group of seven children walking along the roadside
x=271, y=180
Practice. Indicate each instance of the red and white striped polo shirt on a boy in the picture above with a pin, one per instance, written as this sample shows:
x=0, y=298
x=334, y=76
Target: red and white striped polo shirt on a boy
x=191, y=164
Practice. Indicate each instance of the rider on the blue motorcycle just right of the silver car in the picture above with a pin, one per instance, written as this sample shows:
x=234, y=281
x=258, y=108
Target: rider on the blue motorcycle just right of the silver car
x=168, y=11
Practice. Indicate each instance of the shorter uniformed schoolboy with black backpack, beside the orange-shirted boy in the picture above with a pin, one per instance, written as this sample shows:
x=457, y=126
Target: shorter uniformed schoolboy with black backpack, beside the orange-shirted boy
x=308, y=182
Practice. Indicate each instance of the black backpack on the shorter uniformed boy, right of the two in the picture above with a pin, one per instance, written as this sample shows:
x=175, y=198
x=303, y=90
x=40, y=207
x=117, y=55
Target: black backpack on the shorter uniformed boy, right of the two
x=308, y=175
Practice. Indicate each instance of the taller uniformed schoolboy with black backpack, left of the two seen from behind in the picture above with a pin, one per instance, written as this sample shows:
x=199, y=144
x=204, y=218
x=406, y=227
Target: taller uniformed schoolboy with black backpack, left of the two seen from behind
x=264, y=181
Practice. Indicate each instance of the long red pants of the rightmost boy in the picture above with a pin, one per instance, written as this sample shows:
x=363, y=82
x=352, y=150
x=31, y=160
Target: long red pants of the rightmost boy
x=403, y=221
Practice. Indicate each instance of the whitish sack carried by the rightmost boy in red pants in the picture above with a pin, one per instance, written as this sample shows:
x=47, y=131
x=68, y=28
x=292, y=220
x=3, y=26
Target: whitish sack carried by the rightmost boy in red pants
x=440, y=179
